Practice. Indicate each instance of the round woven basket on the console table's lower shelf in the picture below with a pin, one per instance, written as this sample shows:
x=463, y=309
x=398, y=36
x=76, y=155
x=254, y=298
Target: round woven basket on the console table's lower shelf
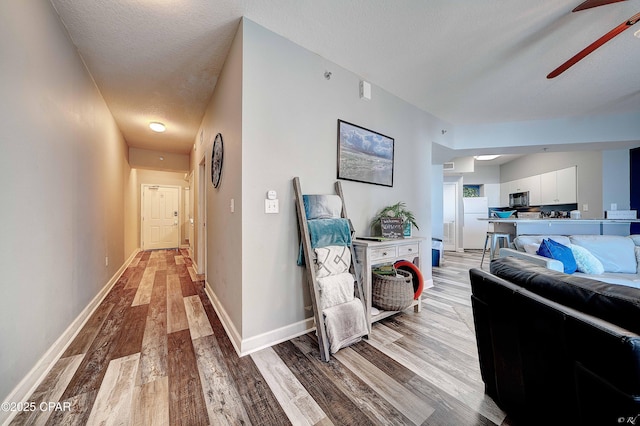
x=391, y=293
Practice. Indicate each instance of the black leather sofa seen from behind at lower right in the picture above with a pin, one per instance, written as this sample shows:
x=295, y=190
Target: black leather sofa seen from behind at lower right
x=555, y=348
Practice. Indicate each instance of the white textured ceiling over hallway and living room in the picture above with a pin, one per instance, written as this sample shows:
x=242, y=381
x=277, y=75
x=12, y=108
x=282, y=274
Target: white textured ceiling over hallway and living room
x=464, y=61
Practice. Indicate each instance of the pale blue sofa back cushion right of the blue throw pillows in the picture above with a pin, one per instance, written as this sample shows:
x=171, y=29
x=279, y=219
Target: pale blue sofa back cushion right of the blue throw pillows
x=616, y=252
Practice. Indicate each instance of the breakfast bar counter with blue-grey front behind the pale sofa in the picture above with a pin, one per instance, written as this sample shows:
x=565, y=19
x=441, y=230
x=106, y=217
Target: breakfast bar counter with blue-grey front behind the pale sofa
x=547, y=226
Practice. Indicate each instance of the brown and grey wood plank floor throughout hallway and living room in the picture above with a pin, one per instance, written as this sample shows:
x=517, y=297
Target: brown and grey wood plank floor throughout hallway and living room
x=155, y=353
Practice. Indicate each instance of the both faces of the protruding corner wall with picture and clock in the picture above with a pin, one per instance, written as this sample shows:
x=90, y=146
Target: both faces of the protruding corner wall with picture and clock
x=289, y=115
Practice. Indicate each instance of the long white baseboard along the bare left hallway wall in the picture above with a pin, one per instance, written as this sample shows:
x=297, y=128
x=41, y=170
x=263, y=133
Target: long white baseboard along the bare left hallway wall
x=30, y=382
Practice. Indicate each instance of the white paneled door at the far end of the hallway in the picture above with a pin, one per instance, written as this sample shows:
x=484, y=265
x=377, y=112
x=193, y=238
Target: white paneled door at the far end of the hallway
x=160, y=217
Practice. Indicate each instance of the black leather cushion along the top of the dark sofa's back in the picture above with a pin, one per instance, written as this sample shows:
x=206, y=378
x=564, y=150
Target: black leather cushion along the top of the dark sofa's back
x=614, y=303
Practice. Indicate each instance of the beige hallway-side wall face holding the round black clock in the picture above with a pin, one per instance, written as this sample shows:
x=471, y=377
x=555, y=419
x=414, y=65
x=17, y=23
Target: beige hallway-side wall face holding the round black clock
x=224, y=272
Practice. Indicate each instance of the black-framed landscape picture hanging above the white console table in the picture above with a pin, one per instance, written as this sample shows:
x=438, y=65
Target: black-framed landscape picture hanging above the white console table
x=364, y=155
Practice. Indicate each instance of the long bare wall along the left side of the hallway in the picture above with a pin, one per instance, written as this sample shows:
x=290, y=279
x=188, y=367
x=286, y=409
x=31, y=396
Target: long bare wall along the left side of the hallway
x=63, y=163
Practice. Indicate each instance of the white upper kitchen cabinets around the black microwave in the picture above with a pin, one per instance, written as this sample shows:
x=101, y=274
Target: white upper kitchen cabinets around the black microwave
x=557, y=187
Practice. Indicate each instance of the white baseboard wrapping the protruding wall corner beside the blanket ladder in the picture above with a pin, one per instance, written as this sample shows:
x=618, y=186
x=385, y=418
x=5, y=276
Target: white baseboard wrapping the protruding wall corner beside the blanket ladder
x=253, y=344
